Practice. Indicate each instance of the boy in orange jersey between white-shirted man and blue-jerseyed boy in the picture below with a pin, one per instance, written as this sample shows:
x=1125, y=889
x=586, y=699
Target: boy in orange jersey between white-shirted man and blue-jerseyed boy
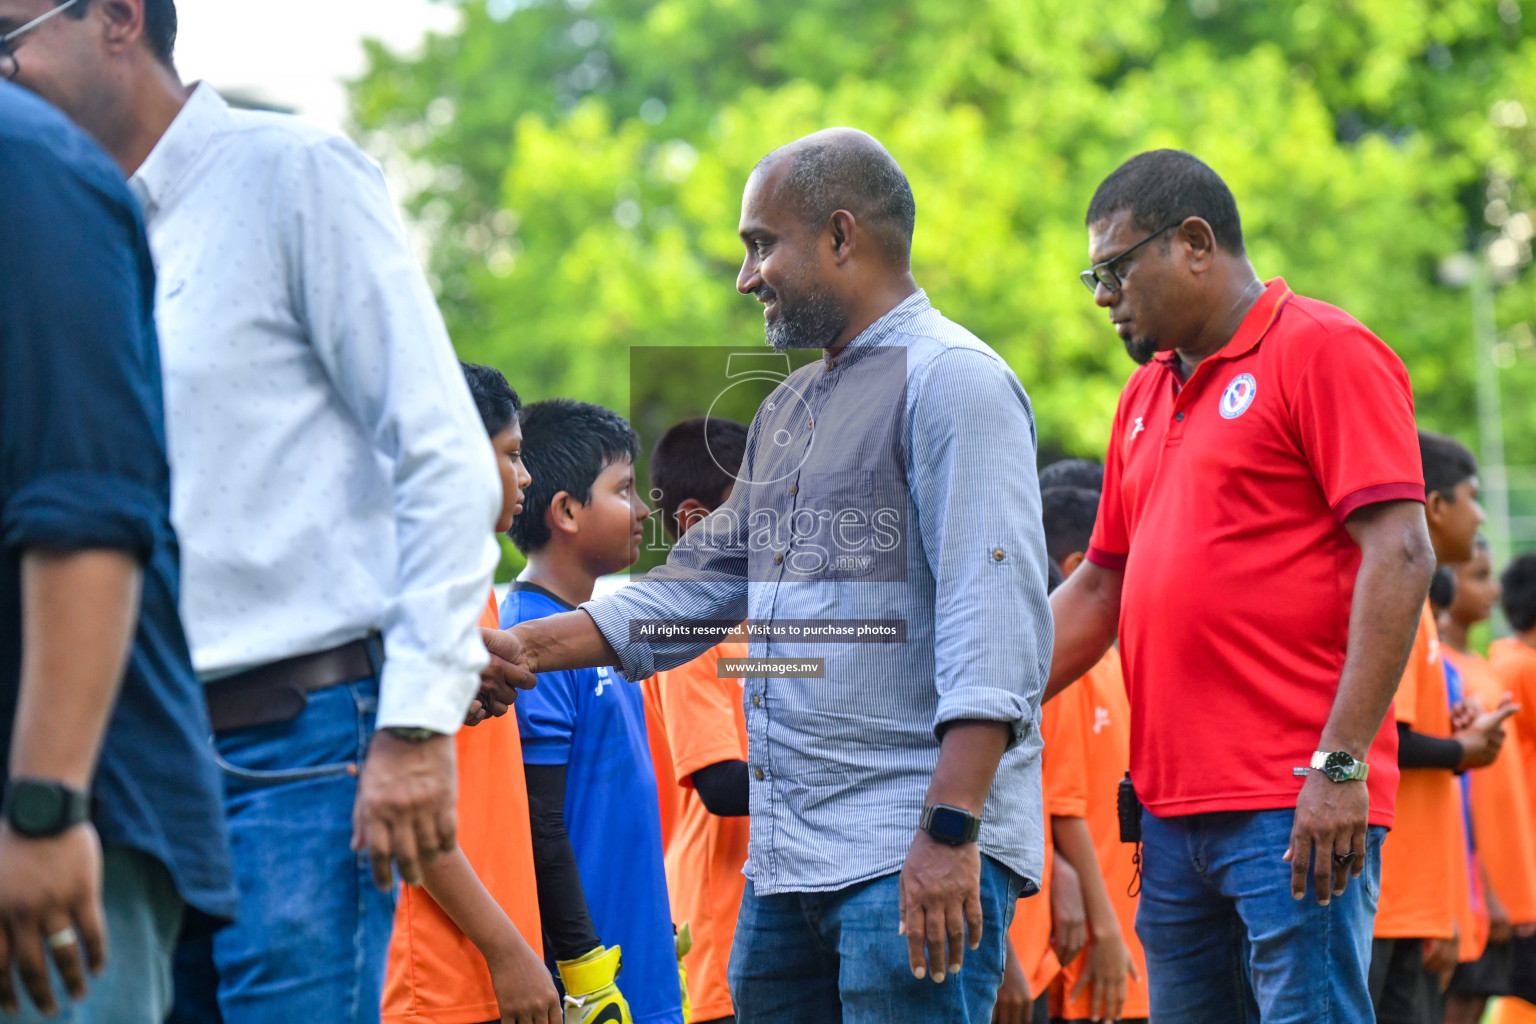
x=468, y=942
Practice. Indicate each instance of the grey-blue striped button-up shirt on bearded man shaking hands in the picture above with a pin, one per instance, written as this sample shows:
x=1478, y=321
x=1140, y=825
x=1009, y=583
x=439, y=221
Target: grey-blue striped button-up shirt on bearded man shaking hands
x=895, y=483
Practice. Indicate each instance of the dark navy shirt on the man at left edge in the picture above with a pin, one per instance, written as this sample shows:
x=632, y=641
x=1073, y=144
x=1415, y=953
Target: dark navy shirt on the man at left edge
x=84, y=466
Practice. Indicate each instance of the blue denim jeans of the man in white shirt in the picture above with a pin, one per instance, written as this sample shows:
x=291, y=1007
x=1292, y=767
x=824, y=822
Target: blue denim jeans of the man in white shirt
x=313, y=933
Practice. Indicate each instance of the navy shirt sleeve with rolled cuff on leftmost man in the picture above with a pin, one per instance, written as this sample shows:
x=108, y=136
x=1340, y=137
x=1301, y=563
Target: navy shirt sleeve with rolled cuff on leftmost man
x=82, y=452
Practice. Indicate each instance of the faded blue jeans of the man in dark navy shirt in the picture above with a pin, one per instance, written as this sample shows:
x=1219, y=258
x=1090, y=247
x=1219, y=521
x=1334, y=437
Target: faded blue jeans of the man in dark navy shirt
x=144, y=913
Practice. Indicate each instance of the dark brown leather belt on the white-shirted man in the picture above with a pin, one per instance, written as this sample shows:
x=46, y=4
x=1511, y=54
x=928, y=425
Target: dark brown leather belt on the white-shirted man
x=279, y=692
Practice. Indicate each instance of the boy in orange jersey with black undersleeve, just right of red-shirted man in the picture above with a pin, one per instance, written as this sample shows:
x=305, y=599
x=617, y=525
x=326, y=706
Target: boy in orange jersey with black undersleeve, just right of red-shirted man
x=1425, y=857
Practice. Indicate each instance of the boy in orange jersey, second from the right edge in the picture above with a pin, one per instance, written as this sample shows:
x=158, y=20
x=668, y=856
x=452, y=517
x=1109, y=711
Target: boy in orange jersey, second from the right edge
x=1505, y=834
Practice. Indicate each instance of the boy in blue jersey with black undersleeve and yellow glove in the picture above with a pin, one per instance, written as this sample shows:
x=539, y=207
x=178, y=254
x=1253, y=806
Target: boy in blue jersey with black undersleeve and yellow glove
x=592, y=788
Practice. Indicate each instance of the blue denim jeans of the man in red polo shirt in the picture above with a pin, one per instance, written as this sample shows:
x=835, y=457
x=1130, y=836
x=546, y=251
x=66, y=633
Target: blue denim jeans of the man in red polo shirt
x=1225, y=940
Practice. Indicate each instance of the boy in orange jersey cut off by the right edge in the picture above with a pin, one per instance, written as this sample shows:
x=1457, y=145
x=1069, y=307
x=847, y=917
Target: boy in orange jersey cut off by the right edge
x=1514, y=661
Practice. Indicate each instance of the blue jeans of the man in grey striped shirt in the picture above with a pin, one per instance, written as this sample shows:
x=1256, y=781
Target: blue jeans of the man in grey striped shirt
x=827, y=957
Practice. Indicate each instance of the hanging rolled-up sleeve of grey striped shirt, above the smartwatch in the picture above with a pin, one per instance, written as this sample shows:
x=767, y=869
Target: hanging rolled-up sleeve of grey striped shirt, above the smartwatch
x=973, y=471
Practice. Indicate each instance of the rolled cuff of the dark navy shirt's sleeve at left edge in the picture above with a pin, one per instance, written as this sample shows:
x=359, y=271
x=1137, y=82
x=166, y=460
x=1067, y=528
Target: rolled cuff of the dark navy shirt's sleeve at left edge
x=81, y=510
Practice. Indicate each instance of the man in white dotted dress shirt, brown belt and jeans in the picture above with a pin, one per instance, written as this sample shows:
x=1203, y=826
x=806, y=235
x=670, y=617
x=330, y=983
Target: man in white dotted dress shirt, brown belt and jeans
x=334, y=497
